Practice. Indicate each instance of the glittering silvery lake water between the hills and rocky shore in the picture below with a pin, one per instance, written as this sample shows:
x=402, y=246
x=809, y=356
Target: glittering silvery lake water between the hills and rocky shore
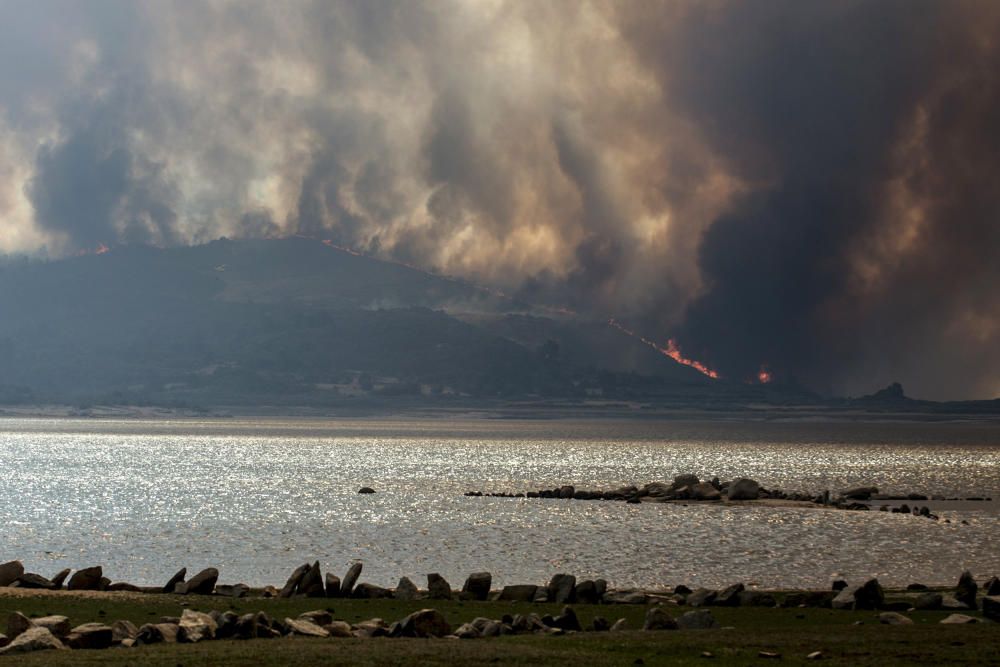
x=255, y=498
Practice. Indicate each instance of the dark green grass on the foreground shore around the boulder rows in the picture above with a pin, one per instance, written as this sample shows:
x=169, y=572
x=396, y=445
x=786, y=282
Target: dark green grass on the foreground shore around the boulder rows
x=794, y=633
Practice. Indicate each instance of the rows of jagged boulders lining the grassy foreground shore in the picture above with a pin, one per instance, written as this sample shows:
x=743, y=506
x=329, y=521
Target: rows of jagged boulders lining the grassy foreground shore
x=55, y=632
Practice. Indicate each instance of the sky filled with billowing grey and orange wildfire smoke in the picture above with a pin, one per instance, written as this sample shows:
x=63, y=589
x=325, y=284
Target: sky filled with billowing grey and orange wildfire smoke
x=809, y=186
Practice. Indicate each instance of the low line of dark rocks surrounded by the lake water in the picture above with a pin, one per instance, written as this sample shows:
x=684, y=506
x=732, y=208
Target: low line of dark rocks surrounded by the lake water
x=689, y=487
